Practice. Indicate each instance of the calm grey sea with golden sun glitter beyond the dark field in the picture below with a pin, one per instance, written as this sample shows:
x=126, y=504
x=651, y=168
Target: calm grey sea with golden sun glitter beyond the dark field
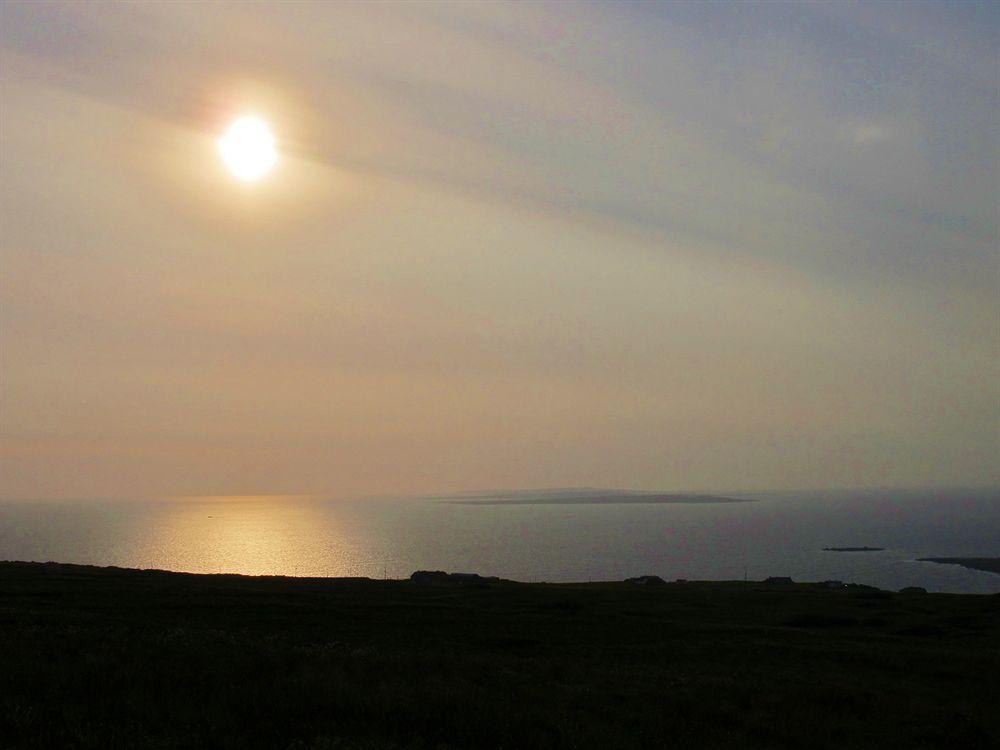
x=779, y=534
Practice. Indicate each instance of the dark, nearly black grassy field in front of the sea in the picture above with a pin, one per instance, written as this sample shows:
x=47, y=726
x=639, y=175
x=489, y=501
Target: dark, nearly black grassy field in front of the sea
x=111, y=658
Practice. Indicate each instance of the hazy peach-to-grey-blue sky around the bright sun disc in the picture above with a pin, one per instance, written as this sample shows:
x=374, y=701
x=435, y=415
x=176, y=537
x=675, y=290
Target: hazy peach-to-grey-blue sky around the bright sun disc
x=657, y=246
